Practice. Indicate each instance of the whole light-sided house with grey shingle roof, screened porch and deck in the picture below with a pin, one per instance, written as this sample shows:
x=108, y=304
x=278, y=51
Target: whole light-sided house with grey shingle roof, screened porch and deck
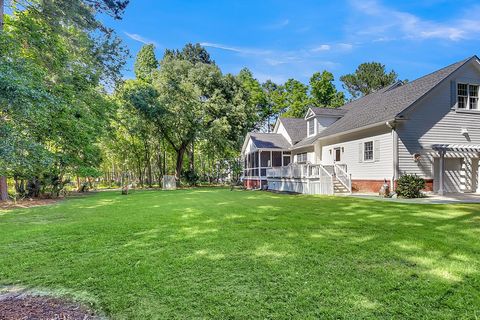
x=429, y=127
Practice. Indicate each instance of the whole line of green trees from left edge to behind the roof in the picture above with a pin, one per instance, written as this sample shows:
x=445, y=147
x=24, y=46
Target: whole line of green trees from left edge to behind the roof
x=68, y=117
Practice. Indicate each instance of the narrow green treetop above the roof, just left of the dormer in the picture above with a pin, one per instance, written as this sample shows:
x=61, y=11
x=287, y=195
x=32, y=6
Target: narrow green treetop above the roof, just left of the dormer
x=297, y=99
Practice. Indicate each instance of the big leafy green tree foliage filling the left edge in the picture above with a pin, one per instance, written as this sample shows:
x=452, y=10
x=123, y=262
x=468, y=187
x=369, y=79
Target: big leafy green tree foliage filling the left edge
x=54, y=60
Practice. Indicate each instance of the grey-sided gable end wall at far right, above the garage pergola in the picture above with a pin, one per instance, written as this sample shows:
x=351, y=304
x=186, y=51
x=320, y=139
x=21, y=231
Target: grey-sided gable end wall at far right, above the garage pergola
x=434, y=120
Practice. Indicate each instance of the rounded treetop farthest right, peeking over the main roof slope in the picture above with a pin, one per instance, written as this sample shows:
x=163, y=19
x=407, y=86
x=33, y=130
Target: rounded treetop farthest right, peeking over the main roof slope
x=367, y=78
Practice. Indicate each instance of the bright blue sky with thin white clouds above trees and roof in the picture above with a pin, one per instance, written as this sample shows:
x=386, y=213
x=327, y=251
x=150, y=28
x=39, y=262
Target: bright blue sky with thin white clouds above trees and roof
x=279, y=40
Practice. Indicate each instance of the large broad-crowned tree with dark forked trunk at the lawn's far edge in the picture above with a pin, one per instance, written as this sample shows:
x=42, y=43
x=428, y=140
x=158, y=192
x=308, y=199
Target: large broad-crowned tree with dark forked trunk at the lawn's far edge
x=196, y=101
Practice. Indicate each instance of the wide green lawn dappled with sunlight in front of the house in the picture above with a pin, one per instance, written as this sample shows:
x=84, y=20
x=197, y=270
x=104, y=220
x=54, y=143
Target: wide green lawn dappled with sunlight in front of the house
x=215, y=253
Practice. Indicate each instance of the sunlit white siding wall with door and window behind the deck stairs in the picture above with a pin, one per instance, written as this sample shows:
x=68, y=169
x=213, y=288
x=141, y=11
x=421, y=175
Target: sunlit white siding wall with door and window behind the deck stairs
x=381, y=168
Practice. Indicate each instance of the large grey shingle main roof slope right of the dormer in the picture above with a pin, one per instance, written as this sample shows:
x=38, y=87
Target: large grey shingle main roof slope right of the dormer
x=389, y=102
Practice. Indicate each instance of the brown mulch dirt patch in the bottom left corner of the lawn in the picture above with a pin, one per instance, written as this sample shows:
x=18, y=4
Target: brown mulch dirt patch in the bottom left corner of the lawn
x=25, y=305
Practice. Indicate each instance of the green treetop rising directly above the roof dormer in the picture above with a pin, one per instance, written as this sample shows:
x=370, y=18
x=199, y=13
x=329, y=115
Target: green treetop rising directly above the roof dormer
x=323, y=91
